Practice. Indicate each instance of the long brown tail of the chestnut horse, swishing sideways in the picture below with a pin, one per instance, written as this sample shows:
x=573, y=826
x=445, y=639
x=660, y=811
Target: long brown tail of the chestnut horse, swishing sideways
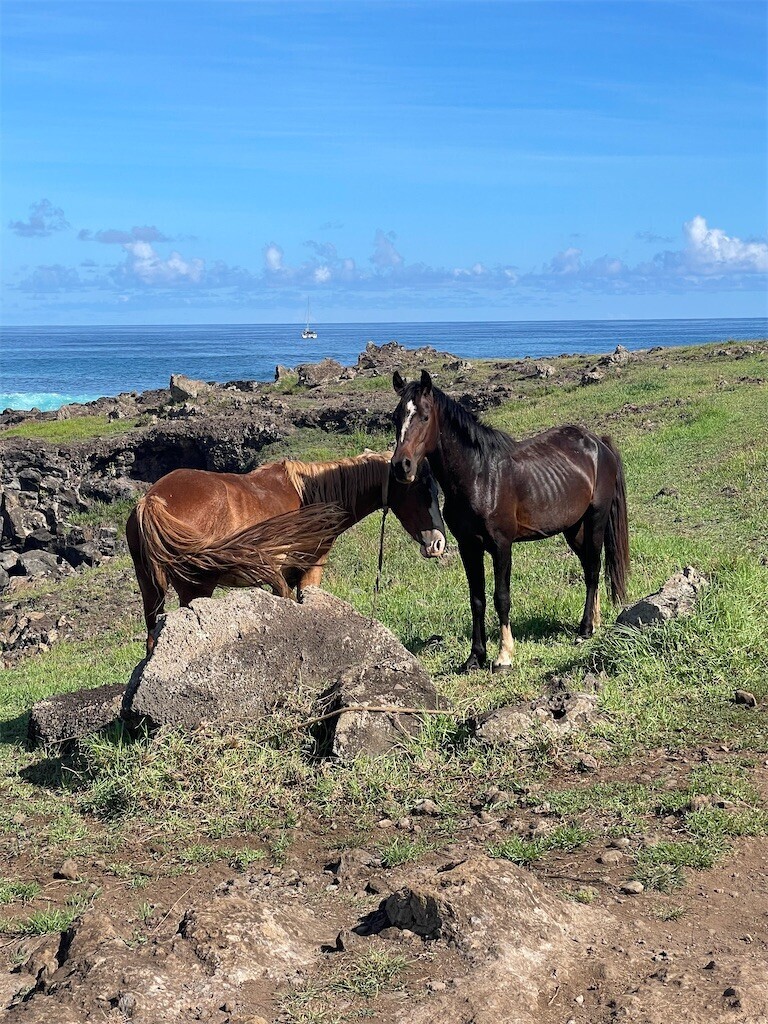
x=253, y=557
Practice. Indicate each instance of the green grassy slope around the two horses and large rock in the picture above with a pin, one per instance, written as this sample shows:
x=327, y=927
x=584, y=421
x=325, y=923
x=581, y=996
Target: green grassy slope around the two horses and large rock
x=694, y=433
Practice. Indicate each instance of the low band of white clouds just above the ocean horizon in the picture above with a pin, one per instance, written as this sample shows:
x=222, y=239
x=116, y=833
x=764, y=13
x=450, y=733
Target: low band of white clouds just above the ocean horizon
x=707, y=261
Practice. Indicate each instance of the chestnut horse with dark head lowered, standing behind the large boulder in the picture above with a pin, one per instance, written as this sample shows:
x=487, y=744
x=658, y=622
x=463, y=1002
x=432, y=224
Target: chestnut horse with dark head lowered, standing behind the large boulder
x=197, y=530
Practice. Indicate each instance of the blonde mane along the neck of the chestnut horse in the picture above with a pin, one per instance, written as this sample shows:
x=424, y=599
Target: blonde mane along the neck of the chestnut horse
x=340, y=482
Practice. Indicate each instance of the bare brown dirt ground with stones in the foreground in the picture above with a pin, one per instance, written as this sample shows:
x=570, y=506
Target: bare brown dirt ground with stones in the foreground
x=474, y=940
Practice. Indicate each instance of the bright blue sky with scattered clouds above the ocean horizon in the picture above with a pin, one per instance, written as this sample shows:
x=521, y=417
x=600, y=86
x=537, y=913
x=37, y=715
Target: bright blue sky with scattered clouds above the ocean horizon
x=221, y=162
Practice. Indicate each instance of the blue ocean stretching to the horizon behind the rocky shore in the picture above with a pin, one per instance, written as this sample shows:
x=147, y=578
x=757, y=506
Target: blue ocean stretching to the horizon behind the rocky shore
x=49, y=367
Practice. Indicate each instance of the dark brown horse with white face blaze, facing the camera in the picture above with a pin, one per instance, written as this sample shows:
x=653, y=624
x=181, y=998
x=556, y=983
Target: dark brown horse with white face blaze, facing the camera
x=499, y=491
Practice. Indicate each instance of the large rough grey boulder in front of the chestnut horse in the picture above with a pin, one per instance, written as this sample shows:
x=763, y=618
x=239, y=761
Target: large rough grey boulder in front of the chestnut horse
x=237, y=658
